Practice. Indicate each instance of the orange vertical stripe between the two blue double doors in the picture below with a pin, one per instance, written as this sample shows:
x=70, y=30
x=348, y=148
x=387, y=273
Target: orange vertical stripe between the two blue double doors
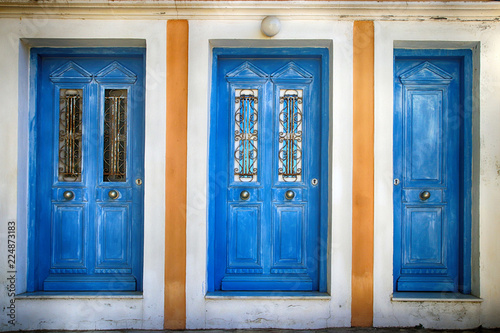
x=175, y=175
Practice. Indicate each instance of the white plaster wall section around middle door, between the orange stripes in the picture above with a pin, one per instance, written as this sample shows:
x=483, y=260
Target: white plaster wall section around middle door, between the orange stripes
x=269, y=312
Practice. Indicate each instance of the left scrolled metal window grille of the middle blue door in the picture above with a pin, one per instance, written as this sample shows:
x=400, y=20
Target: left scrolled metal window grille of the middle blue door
x=246, y=135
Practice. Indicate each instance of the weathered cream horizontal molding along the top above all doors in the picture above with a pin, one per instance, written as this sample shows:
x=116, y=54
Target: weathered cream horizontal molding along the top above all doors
x=251, y=9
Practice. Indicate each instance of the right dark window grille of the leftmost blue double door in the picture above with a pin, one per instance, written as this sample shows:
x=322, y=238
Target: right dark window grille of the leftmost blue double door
x=115, y=135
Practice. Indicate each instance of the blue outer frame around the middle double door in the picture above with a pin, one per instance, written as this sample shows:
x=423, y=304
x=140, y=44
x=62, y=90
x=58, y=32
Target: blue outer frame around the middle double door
x=324, y=54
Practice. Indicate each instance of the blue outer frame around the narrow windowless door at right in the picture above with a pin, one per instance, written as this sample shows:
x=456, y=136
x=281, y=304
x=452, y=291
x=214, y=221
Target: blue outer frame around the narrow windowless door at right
x=465, y=160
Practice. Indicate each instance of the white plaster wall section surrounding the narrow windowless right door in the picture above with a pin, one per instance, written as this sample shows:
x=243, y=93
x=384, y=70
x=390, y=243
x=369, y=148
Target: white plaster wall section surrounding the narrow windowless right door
x=439, y=315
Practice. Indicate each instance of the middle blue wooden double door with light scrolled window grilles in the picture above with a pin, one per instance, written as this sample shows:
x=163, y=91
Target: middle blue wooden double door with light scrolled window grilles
x=270, y=172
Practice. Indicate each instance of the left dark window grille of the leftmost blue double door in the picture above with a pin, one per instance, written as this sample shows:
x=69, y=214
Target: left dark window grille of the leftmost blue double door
x=70, y=135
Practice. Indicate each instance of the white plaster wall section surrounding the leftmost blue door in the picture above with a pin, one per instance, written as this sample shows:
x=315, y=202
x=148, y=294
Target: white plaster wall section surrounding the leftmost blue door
x=93, y=312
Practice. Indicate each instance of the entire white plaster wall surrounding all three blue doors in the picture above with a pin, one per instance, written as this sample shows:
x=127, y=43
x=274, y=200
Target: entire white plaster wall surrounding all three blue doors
x=217, y=312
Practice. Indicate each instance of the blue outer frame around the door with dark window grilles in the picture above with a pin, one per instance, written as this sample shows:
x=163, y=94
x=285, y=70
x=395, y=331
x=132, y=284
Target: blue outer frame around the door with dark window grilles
x=35, y=55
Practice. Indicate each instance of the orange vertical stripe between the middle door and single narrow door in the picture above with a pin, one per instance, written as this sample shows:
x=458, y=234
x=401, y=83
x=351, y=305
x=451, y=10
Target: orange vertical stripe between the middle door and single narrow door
x=362, y=185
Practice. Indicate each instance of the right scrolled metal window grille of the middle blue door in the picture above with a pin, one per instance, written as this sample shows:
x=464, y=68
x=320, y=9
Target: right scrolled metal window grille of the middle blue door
x=290, y=136
